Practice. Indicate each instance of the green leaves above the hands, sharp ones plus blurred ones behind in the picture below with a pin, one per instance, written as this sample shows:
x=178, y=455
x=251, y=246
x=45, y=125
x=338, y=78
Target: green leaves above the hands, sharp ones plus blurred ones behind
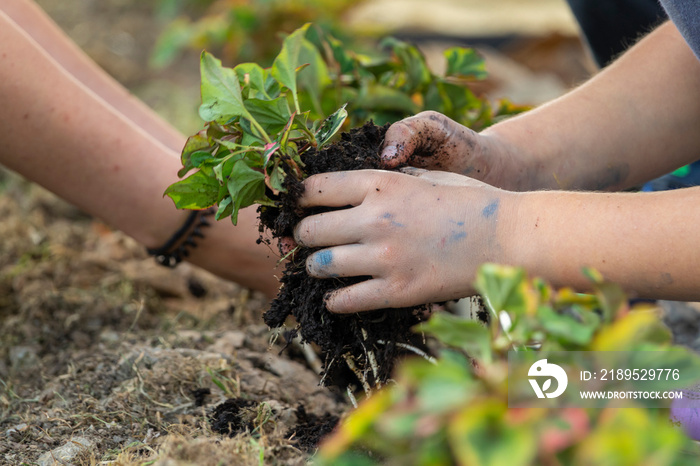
x=261, y=120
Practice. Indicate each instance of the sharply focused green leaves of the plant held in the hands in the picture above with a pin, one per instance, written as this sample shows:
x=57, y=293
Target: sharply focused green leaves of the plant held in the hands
x=252, y=134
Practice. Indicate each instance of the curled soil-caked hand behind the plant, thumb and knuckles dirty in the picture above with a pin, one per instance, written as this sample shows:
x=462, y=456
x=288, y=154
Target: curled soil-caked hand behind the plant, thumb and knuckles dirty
x=433, y=141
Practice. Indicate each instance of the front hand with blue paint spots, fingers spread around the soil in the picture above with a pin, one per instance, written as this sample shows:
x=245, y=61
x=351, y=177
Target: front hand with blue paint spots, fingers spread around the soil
x=419, y=237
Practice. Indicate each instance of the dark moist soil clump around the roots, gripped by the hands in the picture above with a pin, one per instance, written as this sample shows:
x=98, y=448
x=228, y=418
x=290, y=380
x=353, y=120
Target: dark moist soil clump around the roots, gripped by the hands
x=360, y=336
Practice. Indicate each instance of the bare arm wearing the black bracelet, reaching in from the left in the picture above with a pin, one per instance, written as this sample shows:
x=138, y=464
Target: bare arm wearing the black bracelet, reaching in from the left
x=66, y=138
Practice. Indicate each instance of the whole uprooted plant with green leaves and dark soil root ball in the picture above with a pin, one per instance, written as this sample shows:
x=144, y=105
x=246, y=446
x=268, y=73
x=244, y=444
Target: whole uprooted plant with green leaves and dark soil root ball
x=267, y=129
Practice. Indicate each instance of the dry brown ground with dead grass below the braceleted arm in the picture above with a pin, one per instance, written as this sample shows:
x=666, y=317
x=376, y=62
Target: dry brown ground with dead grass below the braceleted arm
x=103, y=347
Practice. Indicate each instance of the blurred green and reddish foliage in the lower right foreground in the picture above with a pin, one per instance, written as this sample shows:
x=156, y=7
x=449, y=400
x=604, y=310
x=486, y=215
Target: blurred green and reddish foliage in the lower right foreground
x=456, y=411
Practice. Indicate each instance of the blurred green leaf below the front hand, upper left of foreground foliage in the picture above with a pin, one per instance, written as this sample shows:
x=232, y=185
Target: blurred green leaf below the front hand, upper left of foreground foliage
x=471, y=336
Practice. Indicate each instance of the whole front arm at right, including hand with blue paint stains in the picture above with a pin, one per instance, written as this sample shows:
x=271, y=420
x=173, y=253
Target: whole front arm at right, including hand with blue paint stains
x=422, y=238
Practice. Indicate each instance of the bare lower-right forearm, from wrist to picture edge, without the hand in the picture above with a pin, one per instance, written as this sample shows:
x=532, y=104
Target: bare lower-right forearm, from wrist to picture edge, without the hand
x=646, y=242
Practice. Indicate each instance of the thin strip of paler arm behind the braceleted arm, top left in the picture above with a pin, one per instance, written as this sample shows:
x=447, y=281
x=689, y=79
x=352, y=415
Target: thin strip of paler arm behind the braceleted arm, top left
x=29, y=17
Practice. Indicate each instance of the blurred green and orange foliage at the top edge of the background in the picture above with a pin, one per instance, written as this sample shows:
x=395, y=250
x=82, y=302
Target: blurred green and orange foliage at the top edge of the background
x=241, y=30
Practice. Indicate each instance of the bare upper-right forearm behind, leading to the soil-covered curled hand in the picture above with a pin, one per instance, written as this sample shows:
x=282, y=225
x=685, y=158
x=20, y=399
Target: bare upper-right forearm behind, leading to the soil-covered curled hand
x=635, y=120
